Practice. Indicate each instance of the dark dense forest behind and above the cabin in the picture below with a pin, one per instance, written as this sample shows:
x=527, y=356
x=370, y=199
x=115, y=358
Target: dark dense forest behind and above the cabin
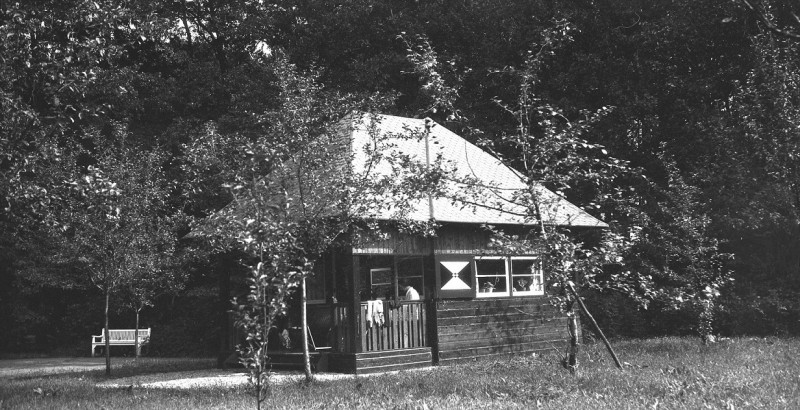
x=701, y=98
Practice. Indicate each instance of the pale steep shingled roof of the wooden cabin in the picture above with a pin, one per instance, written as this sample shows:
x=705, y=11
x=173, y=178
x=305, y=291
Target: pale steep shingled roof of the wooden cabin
x=483, y=189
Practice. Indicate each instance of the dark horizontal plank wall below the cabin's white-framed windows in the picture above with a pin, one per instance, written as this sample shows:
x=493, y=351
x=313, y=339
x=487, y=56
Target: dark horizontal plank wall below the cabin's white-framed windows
x=468, y=329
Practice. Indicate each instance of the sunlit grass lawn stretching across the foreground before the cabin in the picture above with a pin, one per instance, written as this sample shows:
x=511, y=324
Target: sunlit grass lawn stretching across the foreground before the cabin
x=662, y=373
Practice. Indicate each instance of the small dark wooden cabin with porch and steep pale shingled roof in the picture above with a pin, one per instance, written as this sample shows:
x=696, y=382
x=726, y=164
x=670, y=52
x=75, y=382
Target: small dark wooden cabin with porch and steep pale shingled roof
x=473, y=301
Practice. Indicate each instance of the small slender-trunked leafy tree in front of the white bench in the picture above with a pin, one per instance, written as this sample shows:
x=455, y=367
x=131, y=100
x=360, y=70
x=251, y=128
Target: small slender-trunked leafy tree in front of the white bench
x=111, y=219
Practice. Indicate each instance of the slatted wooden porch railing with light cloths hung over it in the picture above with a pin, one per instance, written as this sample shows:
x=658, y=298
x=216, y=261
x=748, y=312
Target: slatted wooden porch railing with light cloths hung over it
x=404, y=327
